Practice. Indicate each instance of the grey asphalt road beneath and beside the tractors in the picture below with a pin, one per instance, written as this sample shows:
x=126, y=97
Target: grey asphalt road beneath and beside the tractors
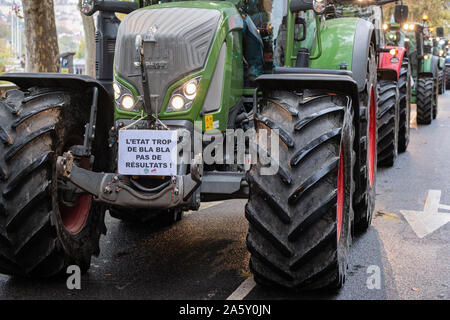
x=204, y=256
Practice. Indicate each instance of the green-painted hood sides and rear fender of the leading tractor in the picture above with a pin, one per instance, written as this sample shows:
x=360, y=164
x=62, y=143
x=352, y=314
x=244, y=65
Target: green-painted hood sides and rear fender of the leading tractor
x=331, y=46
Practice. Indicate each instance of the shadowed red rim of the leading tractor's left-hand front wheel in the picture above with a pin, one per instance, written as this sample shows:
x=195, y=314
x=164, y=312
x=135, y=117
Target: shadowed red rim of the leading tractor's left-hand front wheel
x=74, y=218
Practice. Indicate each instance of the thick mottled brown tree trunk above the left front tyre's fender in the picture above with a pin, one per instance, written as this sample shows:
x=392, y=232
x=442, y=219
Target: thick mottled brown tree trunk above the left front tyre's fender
x=41, y=37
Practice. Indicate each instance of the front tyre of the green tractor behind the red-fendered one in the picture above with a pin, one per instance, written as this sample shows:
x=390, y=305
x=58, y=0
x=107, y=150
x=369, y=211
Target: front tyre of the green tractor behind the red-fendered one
x=425, y=100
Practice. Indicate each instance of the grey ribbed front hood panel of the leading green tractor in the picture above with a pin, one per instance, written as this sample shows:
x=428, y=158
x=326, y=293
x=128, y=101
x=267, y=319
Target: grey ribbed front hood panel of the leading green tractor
x=180, y=42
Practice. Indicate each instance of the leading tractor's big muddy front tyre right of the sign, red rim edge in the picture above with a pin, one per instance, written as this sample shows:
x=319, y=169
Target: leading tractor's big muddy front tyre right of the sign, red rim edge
x=300, y=218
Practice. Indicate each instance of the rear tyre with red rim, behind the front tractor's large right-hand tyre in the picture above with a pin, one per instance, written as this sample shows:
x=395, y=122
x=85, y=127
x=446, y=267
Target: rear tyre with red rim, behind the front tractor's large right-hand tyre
x=364, y=198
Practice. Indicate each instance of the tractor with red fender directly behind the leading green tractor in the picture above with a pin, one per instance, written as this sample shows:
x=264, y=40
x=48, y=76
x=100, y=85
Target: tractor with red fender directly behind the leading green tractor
x=394, y=87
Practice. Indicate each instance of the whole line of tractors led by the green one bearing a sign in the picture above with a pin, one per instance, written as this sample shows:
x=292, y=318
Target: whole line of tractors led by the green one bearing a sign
x=326, y=82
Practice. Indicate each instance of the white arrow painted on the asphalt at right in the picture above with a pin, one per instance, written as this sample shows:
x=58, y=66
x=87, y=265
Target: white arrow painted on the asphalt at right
x=430, y=219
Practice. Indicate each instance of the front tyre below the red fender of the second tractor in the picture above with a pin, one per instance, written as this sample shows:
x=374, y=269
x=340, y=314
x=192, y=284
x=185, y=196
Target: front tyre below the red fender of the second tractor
x=388, y=123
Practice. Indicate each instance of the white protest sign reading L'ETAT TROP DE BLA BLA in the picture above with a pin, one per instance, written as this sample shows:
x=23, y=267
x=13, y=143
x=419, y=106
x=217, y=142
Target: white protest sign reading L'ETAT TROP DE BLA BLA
x=148, y=152
